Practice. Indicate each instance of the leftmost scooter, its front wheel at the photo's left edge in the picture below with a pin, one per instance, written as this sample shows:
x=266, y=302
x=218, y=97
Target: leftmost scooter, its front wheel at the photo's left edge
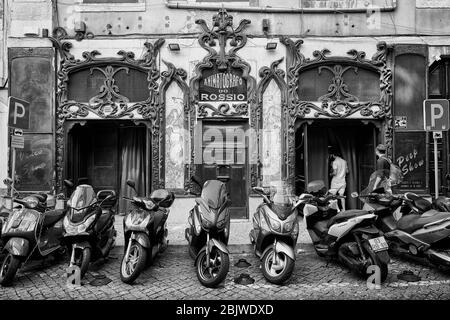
x=30, y=232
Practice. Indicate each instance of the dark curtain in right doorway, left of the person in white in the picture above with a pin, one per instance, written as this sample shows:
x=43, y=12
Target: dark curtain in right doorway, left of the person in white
x=317, y=154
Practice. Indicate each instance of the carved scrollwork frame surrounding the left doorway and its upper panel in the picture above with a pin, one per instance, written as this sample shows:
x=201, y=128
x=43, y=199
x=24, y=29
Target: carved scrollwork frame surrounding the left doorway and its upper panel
x=109, y=103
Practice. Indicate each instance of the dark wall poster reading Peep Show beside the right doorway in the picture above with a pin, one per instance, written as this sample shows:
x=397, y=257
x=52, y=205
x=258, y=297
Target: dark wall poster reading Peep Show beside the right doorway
x=410, y=156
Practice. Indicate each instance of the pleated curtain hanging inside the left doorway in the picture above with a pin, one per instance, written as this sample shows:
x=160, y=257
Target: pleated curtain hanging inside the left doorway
x=133, y=166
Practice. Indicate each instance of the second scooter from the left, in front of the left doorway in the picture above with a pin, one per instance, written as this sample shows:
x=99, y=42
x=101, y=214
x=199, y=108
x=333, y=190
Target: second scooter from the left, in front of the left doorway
x=89, y=225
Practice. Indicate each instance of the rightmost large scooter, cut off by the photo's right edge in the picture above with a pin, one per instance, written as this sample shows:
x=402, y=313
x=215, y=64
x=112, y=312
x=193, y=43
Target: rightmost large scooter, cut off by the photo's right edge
x=411, y=226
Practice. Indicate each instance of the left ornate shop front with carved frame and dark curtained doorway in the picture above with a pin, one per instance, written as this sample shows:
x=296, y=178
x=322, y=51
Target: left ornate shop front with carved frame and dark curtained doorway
x=107, y=128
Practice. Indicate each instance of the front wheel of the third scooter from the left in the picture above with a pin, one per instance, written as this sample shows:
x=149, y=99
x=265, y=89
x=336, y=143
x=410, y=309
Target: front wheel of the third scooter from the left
x=133, y=264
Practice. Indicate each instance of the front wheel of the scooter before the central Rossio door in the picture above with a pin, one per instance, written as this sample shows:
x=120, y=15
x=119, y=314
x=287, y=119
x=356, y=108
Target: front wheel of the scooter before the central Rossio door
x=219, y=263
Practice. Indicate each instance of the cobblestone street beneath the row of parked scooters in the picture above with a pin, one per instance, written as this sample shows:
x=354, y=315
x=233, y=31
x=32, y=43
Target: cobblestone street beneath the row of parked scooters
x=173, y=277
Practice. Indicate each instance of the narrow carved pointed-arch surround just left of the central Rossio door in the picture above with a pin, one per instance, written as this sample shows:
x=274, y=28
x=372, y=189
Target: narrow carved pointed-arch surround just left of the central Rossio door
x=177, y=75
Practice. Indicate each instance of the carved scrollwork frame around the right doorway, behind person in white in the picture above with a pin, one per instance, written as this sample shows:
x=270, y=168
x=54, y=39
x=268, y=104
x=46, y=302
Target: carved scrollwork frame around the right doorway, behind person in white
x=338, y=102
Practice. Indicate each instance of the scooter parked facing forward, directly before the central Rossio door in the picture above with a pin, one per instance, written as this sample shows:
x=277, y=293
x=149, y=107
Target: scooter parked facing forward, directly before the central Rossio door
x=208, y=232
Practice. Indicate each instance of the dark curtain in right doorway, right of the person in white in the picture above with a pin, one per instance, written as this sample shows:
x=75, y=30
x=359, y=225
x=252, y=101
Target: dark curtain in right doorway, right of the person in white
x=346, y=142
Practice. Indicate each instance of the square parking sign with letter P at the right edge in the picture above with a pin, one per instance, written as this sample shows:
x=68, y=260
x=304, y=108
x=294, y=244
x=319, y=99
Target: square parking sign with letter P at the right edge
x=436, y=115
